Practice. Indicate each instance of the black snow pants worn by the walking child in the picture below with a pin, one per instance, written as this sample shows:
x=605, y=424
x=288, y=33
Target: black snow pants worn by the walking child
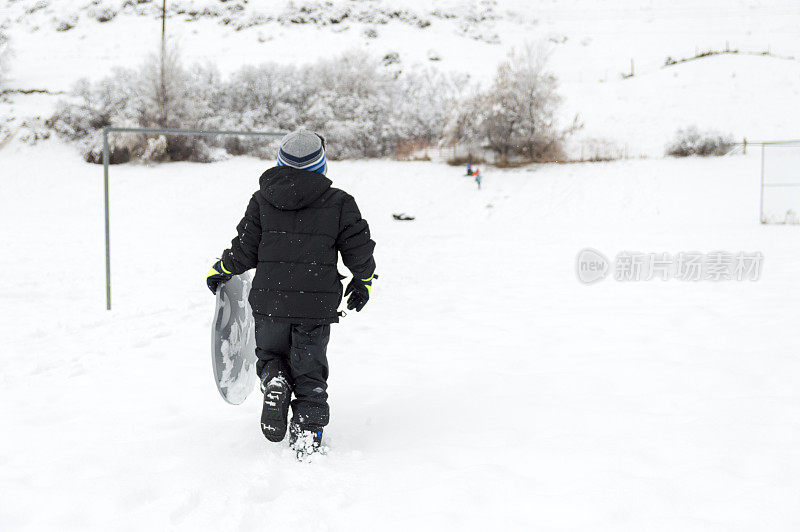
x=299, y=353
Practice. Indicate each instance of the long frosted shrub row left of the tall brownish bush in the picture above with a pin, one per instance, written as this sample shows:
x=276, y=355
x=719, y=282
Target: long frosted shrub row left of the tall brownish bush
x=363, y=109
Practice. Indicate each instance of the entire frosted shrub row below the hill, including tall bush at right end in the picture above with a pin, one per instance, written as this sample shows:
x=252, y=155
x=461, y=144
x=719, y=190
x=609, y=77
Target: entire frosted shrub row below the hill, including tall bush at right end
x=361, y=106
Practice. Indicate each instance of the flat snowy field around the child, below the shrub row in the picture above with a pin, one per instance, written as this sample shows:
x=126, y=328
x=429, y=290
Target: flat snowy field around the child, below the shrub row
x=483, y=388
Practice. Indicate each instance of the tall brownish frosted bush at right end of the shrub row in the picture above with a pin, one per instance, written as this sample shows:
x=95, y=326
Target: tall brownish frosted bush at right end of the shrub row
x=517, y=116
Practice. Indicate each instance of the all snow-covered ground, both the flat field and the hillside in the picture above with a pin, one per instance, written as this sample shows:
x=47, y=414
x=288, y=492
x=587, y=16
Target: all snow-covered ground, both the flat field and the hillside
x=484, y=387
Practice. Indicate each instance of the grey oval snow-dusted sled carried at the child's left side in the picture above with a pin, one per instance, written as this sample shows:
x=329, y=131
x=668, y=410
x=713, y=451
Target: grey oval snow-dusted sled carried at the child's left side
x=233, y=340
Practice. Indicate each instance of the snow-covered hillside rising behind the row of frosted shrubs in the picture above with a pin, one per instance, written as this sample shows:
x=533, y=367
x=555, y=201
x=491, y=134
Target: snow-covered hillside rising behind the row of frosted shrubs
x=56, y=43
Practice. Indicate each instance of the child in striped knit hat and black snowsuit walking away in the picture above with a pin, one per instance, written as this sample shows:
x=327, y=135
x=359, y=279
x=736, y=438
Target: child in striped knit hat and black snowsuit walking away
x=294, y=227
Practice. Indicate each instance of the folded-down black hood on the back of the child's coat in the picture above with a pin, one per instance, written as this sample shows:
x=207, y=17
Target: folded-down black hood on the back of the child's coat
x=290, y=189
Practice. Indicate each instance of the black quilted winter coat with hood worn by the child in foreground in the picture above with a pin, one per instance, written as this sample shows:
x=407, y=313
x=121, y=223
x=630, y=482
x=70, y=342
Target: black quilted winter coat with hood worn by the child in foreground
x=291, y=233
